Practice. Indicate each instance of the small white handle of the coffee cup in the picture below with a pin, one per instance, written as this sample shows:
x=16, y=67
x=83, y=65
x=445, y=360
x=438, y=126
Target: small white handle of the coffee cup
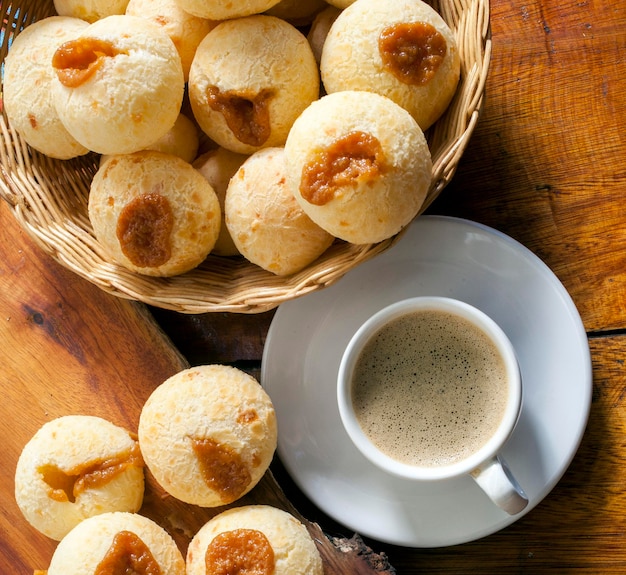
x=495, y=478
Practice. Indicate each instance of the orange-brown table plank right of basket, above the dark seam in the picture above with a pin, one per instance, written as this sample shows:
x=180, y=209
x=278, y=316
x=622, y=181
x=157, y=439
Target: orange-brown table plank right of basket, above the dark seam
x=546, y=163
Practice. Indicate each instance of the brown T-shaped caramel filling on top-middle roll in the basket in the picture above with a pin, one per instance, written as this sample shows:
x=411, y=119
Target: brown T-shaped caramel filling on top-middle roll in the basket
x=246, y=113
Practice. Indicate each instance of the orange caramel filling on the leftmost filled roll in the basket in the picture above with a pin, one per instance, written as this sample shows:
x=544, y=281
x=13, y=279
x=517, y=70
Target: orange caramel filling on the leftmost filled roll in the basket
x=78, y=60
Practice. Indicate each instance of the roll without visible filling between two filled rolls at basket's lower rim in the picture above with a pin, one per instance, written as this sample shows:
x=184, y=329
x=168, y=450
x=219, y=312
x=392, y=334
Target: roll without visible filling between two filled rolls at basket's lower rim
x=265, y=221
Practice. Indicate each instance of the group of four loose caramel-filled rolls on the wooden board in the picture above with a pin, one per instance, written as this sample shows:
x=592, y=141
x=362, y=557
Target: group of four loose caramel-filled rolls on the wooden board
x=207, y=434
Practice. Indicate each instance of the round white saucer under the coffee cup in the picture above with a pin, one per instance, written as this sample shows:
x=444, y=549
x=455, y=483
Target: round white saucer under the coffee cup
x=436, y=256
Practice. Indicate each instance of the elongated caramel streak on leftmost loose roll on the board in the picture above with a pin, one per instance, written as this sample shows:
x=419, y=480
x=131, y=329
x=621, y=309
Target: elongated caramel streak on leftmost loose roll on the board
x=69, y=484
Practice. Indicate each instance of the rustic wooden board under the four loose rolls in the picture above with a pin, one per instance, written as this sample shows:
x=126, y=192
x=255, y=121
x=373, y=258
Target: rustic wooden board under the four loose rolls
x=68, y=348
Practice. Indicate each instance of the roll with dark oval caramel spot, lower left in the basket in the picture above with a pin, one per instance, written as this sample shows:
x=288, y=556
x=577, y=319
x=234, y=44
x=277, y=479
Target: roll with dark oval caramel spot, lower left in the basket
x=153, y=213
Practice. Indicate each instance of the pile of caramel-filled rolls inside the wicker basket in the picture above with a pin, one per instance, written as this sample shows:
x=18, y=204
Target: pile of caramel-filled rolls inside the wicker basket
x=324, y=105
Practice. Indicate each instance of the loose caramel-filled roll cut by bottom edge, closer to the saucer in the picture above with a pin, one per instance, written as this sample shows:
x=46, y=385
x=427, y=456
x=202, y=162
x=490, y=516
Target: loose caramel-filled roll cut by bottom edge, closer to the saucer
x=257, y=539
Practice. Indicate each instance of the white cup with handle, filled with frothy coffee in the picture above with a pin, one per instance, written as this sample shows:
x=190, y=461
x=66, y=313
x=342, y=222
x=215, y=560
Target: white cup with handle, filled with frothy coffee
x=449, y=319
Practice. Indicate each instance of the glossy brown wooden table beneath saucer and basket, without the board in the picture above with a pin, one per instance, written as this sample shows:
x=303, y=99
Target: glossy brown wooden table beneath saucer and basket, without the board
x=546, y=165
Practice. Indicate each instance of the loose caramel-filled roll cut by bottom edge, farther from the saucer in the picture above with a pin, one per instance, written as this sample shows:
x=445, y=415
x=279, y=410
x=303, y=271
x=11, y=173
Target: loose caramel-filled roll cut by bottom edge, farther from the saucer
x=117, y=543
